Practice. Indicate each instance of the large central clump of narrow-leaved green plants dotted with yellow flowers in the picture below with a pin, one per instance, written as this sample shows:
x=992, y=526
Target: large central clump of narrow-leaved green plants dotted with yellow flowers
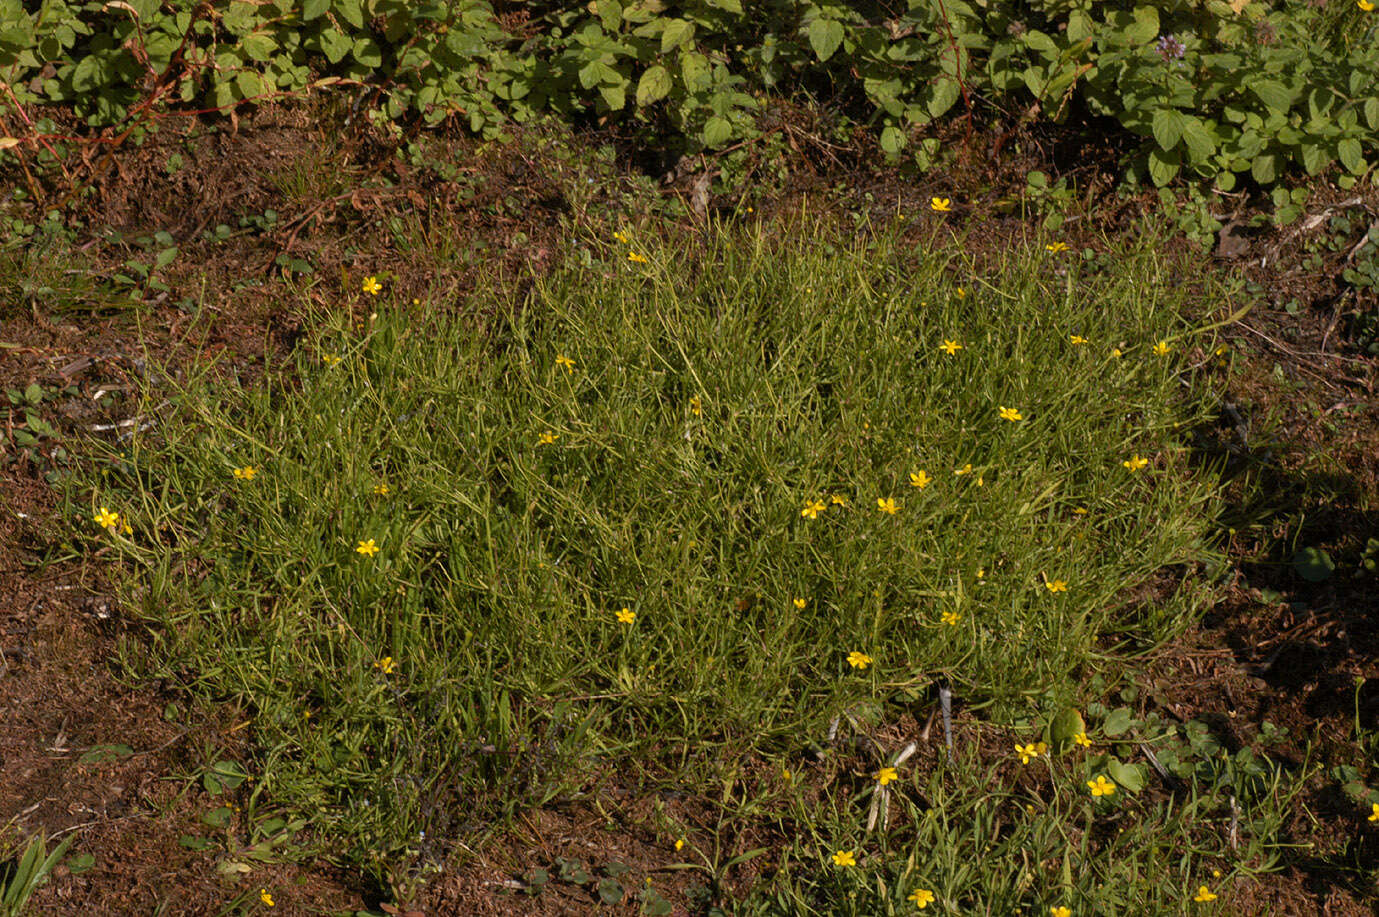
x=668, y=508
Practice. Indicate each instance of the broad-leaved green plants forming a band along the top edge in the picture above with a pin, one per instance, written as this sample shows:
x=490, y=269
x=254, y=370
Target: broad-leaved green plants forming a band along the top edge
x=1213, y=93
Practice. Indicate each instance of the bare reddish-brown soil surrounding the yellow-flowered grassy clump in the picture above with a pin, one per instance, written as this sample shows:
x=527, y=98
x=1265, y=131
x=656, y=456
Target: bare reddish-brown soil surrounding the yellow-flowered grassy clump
x=1278, y=649
